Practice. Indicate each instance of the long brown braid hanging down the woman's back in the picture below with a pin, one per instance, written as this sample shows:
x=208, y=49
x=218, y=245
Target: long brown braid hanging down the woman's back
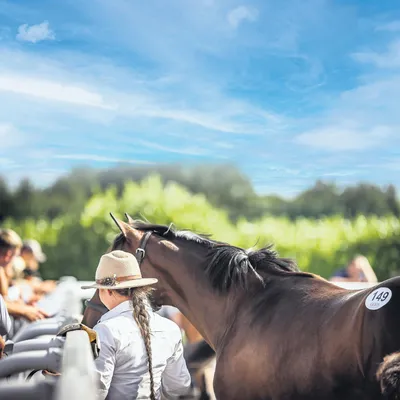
x=140, y=298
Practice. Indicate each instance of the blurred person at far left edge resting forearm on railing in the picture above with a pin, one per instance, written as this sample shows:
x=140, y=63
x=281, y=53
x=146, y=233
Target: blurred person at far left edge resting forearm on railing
x=10, y=245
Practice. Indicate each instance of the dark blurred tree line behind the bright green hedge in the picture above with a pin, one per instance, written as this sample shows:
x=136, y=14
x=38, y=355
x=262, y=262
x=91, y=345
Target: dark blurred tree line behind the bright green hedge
x=224, y=186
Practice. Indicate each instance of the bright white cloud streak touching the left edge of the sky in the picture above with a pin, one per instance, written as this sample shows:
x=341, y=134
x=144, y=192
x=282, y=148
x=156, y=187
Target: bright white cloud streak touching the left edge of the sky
x=50, y=90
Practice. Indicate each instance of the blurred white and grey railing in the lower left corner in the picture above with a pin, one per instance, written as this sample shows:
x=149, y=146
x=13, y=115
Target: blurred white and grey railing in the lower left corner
x=35, y=347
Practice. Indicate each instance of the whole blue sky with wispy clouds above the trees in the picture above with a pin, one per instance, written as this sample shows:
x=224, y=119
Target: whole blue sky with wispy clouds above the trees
x=290, y=91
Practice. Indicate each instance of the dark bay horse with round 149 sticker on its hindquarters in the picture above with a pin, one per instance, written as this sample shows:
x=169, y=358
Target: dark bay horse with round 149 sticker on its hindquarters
x=278, y=333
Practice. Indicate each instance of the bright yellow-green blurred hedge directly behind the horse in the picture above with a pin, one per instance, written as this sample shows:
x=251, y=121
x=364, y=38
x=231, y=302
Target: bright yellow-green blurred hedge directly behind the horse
x=74, y=242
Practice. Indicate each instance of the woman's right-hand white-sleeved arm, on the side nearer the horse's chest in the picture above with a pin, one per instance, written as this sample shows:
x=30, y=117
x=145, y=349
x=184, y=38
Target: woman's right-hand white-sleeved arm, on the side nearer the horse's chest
x=176, y=379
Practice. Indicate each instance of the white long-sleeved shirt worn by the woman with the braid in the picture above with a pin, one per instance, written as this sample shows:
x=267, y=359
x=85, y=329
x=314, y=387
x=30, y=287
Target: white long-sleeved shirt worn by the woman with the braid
x=122, y=366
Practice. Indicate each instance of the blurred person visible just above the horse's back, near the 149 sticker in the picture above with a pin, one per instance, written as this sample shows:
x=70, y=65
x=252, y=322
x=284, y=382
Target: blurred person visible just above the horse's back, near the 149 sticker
x=358, y=270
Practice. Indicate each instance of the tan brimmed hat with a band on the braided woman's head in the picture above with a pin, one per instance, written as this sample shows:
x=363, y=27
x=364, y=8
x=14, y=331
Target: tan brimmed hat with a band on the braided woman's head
x=119, y=270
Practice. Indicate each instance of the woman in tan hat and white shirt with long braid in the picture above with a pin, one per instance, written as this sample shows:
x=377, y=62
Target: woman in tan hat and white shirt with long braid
x=141, y=353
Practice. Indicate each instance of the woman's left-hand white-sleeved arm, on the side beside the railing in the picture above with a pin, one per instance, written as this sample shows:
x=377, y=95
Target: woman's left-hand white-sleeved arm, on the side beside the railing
x=105, y=362
